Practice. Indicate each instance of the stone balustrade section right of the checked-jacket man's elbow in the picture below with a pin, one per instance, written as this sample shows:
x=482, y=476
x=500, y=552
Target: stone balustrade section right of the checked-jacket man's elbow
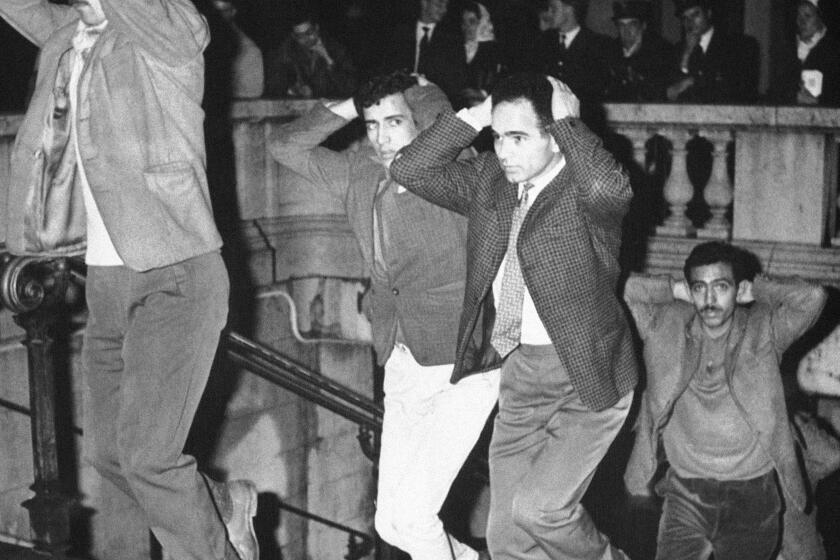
x=773, y=169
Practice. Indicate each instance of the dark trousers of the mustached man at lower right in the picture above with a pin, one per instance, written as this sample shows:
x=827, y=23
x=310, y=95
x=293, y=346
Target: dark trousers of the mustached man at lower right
x=735, y=520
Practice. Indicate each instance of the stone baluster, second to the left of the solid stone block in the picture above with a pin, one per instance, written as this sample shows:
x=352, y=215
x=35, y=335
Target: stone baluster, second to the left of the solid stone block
x=678, y=189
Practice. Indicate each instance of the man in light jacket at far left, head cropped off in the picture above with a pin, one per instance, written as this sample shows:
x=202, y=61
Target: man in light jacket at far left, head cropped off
x=109, y=163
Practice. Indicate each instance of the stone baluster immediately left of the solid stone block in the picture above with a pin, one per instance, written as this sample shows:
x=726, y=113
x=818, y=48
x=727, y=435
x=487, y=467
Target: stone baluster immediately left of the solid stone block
x=718, y=191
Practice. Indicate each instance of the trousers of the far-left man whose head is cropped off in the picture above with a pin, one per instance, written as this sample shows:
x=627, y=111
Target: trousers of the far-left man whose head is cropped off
x=149, y=344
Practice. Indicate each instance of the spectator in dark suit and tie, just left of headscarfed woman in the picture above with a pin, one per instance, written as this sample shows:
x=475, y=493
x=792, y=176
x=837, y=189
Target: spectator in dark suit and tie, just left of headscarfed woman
x=427, y=46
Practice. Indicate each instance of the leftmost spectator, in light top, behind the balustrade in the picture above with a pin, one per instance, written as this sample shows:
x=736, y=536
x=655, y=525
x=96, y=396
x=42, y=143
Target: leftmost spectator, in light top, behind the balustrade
x=246, y=67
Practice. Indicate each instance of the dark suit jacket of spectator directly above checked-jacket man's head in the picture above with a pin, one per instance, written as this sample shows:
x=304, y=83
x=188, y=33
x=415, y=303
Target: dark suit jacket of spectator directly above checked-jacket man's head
x=583, y=66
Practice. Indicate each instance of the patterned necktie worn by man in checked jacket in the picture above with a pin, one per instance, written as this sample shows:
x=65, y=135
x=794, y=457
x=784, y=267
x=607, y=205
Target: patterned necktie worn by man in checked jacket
x=508, y=327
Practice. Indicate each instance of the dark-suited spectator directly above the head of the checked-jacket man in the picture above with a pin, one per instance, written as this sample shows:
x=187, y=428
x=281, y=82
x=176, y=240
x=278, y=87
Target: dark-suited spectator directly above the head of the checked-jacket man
x=573, y=53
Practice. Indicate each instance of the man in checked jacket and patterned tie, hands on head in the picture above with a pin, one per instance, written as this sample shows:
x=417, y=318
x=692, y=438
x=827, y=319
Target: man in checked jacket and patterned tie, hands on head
x=567, y=383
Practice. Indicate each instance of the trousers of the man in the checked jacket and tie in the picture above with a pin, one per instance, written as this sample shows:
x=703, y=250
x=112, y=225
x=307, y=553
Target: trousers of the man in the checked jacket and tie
x=545, y=448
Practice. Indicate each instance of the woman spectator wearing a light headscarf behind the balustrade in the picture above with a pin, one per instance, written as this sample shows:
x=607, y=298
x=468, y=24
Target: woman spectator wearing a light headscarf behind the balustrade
x=482, y=53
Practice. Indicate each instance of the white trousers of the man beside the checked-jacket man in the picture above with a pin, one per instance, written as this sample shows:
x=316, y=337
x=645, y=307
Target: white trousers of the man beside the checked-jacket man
x=429, y=428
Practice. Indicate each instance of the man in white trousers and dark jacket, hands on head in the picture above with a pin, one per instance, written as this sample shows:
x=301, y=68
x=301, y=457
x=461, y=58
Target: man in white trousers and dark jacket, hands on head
x=414, y=252
